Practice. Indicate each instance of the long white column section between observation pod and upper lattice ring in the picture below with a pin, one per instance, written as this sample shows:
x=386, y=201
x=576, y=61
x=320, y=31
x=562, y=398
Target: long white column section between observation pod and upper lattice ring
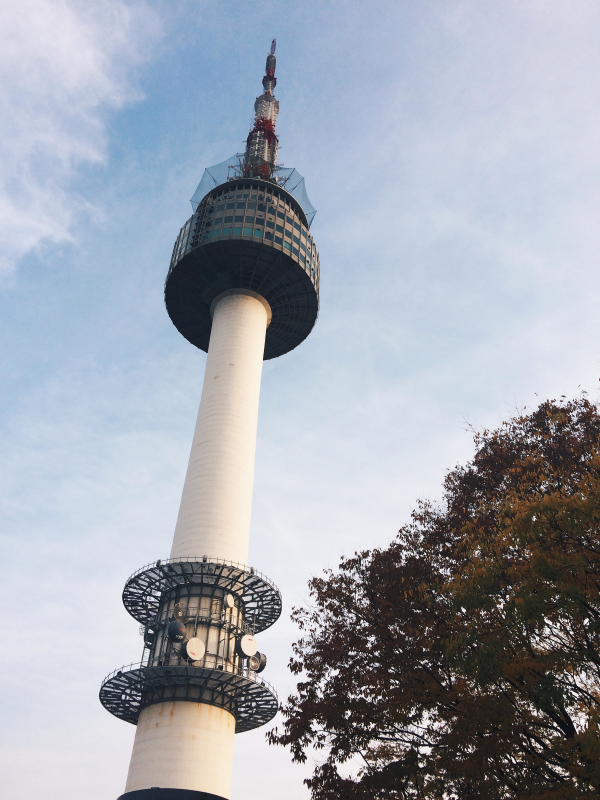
x=214, y=516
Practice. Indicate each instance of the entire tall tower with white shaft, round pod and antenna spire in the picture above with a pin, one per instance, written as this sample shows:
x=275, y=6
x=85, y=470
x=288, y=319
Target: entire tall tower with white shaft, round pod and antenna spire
x=243, y=286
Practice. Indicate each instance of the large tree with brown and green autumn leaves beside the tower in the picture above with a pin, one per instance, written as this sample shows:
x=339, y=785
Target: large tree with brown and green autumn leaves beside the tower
x=464, y=659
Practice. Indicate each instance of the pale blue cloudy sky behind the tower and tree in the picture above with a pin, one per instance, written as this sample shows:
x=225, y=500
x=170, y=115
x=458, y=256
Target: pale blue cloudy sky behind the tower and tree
x=451, y=149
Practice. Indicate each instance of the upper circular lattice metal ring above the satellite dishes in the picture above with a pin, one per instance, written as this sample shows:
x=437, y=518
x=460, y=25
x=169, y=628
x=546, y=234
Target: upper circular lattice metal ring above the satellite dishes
x=261, y=599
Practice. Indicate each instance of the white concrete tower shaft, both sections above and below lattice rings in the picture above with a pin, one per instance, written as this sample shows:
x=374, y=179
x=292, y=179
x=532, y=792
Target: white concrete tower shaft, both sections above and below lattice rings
x=190, y=745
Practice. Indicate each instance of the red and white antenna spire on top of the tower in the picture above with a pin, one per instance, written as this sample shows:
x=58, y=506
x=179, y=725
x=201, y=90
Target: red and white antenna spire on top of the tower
x=260, y=157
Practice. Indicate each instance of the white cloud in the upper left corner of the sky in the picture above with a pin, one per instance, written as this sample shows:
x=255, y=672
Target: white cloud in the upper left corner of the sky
x=63, y=65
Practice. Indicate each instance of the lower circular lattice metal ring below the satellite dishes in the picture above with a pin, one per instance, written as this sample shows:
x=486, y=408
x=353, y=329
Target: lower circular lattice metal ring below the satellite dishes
x=127, y=691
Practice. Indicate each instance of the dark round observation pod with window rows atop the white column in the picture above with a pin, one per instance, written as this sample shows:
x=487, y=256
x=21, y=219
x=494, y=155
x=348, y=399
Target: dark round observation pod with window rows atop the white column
x=246, y=234
